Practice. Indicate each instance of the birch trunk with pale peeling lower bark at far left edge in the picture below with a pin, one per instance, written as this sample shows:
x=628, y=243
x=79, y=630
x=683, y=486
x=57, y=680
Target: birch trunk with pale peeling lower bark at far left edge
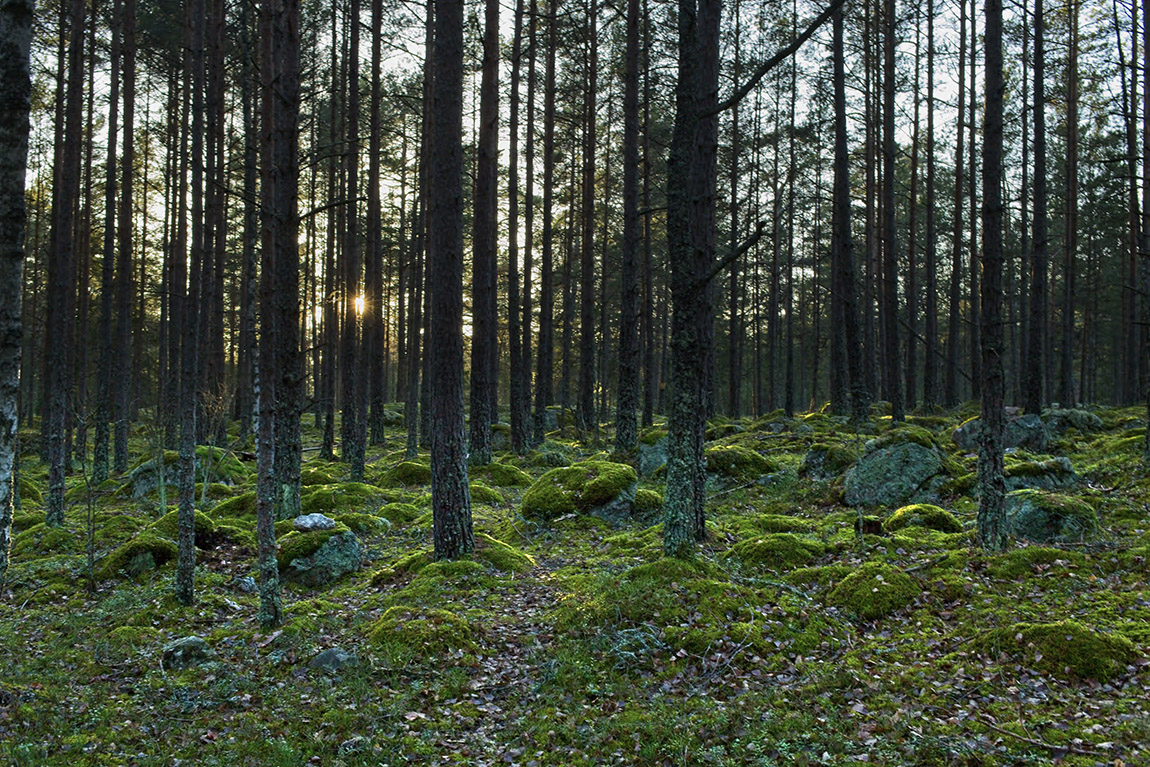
x=16, y=105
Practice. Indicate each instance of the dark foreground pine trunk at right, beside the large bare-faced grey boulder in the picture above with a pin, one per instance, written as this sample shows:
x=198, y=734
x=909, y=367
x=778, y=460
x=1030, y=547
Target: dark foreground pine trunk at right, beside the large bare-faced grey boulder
x=992, y=484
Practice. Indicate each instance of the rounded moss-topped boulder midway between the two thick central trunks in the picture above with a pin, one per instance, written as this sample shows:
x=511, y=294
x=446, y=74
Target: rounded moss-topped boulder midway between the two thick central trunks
x=600, y=488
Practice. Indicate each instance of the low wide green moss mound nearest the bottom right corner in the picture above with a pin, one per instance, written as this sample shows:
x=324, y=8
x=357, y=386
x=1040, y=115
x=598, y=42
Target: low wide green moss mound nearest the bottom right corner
x=1063, y=649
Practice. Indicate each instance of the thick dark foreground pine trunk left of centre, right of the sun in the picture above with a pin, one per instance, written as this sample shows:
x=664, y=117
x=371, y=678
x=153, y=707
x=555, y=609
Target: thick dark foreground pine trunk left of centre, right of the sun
x=450, y=496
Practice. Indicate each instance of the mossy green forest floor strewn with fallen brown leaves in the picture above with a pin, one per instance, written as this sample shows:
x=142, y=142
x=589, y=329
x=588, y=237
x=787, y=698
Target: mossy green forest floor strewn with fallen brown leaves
x=793, y=639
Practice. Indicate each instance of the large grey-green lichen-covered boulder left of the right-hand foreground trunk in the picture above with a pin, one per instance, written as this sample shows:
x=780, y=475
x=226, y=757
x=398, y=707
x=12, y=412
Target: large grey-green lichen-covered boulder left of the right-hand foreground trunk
x=892, y=474
